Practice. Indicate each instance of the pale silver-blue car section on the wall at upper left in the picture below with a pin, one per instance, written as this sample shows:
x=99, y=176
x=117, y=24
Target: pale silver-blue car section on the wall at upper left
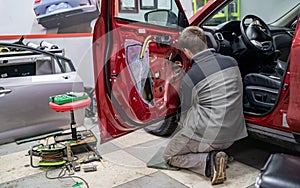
x=64, y=13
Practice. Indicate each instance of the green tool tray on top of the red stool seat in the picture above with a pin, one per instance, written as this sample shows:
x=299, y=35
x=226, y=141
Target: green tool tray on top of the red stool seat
x=68, y=97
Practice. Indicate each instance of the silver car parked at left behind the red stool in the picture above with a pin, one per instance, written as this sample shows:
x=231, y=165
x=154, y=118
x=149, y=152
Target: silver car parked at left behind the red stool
x=28, y=77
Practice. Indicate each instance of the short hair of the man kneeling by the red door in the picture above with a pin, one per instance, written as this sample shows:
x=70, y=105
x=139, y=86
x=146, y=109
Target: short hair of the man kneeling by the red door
x=193, y=38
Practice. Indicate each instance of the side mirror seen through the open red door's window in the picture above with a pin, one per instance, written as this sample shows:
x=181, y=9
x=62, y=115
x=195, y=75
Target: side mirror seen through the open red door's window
x=161, y=17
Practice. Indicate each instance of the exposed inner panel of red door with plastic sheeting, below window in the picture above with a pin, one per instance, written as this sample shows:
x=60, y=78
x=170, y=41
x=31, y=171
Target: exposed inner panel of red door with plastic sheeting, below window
x=148, y=60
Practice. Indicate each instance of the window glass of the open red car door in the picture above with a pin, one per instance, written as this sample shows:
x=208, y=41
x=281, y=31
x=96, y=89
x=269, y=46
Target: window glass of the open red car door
x=155, y=12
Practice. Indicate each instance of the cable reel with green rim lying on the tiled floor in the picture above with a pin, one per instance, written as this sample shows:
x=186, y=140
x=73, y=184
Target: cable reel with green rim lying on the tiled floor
x=51, y=155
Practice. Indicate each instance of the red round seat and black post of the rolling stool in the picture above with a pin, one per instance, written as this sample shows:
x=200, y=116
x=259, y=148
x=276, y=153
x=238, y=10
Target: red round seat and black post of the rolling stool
x=70, y=106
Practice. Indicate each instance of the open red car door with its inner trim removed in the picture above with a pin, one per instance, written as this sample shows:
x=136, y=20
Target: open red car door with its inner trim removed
x=134, y=54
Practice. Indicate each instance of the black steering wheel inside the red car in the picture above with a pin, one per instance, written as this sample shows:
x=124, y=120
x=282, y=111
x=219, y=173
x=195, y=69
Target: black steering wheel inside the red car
x=256, y=34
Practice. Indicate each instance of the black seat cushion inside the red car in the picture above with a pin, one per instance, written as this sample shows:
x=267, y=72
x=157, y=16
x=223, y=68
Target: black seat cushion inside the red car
x=260, y=92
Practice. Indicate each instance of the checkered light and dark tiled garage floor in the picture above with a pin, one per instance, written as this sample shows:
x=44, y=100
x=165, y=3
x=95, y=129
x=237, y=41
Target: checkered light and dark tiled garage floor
x=125, y=166
